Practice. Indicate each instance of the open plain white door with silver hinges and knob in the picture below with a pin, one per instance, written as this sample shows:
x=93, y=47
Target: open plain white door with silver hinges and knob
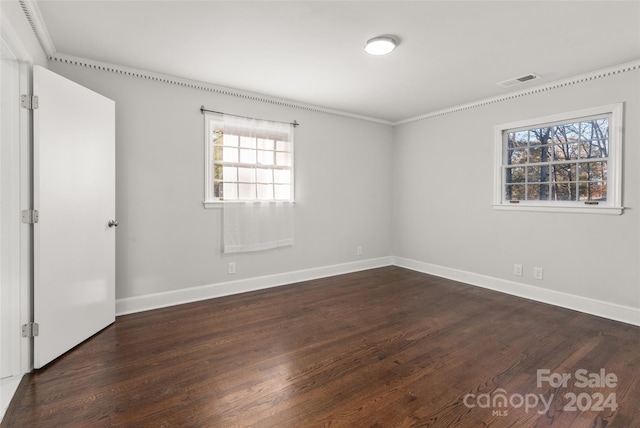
x=74, y=194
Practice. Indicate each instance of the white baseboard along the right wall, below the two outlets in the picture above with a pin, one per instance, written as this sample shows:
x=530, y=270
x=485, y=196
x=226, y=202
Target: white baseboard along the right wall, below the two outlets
x=625, y=314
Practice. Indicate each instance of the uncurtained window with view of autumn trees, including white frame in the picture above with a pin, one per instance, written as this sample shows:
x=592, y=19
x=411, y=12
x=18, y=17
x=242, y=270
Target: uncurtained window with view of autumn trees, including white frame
x=569, y=162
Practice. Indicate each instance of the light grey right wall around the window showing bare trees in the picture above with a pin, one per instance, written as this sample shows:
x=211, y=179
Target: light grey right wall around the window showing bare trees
x=442, y=214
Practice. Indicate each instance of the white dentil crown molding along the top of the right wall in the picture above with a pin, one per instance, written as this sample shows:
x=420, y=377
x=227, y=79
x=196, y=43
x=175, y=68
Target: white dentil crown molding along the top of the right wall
x=594, y=75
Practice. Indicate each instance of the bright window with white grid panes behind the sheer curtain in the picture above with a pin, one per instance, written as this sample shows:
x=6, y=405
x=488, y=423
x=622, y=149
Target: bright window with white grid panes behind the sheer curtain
x=248, y=159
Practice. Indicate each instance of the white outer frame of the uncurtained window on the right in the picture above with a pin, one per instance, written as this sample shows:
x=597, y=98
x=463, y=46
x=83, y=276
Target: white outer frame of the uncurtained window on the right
x=613, y=204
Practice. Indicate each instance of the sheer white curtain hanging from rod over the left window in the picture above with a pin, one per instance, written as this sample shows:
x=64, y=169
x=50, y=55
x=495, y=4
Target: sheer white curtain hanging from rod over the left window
x=257, y=220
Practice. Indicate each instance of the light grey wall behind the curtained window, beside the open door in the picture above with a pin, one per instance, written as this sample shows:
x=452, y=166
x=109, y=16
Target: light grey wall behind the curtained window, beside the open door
x=167, y=241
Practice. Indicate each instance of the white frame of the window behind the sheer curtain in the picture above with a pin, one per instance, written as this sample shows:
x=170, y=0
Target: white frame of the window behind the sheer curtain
x=210, y=201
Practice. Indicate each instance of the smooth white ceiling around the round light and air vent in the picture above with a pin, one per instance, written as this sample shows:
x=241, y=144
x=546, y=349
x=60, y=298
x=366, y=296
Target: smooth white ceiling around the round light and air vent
x=450, y=52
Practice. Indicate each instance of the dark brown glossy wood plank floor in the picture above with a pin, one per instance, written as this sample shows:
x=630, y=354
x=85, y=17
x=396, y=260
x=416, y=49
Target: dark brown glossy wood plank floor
x=385, y=347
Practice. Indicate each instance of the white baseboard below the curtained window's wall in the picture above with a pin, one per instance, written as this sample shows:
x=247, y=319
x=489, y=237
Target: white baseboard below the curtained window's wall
x=193, y=294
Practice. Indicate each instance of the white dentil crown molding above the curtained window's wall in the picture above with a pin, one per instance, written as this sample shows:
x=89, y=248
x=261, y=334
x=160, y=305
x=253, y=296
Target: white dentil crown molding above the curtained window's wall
x=203, y=86
